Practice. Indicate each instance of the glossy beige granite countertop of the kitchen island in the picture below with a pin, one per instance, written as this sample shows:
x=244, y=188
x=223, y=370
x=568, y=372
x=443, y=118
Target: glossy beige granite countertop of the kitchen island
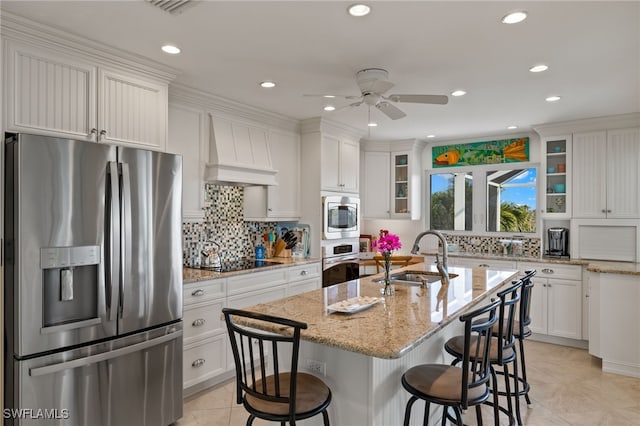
x=396, y=324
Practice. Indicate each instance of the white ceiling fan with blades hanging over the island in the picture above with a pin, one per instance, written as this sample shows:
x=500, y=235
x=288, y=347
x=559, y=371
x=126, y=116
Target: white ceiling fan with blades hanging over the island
x=373, y=83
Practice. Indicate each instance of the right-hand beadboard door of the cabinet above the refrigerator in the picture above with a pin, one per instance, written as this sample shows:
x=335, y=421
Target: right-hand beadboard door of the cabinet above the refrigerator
x=132, y=111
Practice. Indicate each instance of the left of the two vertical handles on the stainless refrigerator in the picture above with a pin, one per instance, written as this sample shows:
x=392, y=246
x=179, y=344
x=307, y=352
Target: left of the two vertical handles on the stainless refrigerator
x=112, y=267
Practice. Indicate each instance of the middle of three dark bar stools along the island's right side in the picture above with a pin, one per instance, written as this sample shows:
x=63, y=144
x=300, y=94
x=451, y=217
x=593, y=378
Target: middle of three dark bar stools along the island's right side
x=502, y=353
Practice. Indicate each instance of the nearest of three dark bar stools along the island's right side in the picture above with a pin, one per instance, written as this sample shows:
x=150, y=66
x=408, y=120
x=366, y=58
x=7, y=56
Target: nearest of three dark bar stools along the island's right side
x=452, y=386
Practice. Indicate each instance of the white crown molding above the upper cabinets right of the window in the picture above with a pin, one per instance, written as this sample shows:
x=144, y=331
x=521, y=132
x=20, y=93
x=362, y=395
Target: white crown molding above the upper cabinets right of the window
x=589, y=124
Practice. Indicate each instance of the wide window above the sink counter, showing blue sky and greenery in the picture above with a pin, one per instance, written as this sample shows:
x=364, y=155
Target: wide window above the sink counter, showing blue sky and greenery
x=484, y=199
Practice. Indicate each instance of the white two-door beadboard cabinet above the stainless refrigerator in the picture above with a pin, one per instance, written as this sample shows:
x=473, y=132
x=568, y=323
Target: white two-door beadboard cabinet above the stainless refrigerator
x=58, y=94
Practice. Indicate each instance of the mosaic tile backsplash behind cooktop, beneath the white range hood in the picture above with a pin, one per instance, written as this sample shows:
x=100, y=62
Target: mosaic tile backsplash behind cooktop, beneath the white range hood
x=223, y=223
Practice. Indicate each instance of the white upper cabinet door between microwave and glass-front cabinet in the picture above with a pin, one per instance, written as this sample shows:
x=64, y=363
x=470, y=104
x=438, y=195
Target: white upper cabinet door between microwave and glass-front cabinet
x=376, y=186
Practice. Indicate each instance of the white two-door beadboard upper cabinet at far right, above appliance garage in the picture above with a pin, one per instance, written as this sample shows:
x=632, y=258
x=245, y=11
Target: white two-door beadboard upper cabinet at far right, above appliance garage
x=606, y=177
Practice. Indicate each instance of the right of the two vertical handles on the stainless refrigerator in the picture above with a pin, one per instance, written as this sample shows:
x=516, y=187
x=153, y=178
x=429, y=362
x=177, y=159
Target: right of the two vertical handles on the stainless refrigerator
x=125, y=241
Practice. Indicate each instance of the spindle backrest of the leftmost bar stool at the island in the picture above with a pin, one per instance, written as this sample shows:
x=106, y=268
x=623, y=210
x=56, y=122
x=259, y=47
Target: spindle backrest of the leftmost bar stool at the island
x=257, y=356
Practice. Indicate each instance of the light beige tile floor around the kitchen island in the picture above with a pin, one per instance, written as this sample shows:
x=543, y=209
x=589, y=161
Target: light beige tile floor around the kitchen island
x=567, y=388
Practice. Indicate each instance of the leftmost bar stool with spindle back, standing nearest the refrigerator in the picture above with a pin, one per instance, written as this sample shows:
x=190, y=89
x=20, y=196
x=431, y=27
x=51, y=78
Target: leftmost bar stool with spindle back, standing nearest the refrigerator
x=268, y=384
